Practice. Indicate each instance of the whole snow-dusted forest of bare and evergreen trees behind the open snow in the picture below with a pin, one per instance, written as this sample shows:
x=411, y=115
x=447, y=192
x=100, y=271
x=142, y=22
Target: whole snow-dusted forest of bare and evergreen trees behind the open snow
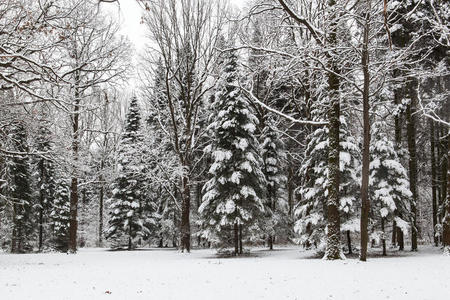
x=319, y=125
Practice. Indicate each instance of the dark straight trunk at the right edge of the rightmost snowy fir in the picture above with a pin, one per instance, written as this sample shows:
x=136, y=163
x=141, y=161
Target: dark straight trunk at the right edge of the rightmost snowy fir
x=410, y=114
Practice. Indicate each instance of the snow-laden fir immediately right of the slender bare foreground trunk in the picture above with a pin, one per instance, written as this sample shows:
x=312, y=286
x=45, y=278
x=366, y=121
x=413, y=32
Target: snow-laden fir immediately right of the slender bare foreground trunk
x=388, y=185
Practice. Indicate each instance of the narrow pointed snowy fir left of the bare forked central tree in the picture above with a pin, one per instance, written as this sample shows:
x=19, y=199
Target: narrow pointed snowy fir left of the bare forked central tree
x=126, y=211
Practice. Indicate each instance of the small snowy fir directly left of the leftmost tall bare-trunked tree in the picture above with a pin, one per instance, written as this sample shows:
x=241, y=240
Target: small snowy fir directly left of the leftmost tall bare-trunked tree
x=59, y=216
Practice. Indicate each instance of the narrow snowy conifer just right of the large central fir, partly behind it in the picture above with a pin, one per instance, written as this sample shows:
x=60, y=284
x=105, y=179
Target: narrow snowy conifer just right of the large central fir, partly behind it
x=273, y=156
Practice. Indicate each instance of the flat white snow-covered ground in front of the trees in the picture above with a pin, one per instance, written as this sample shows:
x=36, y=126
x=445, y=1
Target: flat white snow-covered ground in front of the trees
x=288, y=273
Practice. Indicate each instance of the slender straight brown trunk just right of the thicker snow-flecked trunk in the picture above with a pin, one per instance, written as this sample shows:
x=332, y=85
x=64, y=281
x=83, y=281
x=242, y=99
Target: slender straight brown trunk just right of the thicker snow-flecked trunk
x=365, y=202
